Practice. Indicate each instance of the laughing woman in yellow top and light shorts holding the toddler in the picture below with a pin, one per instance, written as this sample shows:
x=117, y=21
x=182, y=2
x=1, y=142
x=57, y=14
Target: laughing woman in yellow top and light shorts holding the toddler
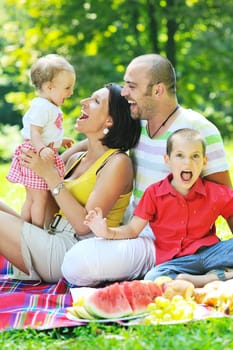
x=101, y=176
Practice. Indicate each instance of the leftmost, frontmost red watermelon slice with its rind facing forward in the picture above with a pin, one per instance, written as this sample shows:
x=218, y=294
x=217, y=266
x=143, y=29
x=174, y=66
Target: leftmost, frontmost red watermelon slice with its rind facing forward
x=108, y=302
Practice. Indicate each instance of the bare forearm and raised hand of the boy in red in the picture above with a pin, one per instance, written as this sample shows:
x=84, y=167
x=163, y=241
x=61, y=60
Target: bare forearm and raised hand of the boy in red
x=98, y=225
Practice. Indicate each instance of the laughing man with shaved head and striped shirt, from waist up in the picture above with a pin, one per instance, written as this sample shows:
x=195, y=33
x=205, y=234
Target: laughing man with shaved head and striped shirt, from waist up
x=150, y=88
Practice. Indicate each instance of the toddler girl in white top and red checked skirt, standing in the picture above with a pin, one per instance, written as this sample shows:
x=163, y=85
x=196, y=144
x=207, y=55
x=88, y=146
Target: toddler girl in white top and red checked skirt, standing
x=54, y=79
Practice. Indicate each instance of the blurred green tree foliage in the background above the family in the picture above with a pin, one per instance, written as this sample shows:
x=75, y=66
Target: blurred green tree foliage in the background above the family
x=100, y=38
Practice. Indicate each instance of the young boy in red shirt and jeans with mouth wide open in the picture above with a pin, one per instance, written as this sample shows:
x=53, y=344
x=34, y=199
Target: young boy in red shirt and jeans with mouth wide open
x=181, y=210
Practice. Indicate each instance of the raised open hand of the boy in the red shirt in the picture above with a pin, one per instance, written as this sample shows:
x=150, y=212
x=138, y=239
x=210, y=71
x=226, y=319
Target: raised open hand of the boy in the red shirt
x=98, y=225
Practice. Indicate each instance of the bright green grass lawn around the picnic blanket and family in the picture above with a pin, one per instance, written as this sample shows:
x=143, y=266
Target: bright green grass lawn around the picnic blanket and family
x=207, y=334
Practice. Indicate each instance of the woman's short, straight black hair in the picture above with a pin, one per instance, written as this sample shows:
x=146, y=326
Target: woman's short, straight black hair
x=125, y=132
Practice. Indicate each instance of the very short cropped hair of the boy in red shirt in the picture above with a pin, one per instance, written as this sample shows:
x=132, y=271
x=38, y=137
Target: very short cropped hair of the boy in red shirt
x=188, y=134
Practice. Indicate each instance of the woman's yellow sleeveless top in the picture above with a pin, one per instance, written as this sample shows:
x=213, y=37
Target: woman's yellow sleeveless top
x=82, y=187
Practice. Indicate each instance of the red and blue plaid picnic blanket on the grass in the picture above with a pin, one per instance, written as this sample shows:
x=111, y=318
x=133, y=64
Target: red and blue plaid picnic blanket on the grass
x=31, y=304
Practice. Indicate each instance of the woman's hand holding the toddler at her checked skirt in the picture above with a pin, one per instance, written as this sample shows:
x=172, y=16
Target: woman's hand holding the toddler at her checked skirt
x=32, y=160
